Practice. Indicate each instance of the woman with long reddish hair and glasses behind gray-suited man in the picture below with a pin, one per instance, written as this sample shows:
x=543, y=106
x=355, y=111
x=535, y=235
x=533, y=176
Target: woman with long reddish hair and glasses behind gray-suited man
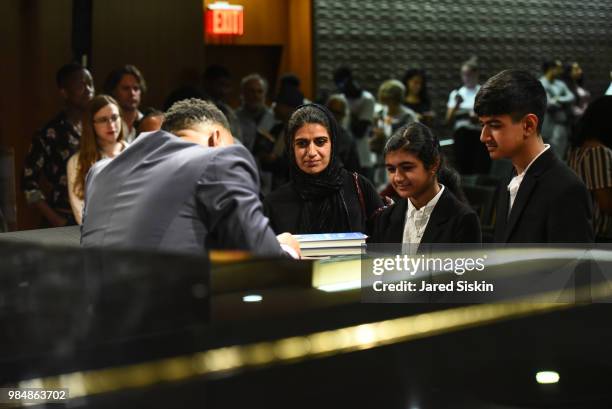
x=103, y=136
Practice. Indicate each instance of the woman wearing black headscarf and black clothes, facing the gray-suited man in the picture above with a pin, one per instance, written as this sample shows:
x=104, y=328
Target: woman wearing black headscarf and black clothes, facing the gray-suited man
x=321, y=197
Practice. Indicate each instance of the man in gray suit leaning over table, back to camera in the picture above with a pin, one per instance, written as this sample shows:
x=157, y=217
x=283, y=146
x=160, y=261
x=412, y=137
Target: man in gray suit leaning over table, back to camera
x=186, y=188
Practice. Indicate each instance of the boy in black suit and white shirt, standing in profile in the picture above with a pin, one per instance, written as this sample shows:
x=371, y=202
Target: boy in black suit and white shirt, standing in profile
x=543, y=201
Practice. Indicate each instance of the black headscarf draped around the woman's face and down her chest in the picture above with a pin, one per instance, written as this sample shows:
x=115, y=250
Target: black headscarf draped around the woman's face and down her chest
x=324, y=209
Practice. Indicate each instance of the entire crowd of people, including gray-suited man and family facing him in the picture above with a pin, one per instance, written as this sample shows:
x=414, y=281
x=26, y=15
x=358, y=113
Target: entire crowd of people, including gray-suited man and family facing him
x=350, y=162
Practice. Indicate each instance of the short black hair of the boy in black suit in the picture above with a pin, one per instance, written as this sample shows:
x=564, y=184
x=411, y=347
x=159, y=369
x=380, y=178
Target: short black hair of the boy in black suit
x=512, y=92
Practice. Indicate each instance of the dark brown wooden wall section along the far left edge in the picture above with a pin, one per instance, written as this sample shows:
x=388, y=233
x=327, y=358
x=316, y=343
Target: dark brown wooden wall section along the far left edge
x=38, y=34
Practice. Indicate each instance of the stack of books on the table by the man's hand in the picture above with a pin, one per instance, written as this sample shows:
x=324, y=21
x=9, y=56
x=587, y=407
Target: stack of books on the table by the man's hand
x=331, y=244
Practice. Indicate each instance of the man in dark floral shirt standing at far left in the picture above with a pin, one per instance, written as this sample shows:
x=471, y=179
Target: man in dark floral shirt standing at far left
x=53, y=145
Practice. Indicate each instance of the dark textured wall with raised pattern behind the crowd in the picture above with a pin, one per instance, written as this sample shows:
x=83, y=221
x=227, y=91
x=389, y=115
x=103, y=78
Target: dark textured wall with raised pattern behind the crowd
x=381, y=38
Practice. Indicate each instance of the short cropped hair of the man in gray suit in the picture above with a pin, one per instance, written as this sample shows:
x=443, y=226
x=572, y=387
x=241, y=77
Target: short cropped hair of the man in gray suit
x=189, y=112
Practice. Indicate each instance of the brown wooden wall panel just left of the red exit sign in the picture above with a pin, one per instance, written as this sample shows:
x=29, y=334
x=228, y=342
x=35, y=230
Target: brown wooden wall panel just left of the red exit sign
x=164, y=39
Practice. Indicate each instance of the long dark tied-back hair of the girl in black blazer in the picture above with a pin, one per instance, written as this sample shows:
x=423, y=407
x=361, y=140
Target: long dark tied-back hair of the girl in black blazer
x=419, y=140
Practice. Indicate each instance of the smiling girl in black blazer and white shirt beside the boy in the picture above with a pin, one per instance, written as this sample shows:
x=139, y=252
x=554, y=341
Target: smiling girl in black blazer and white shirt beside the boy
x=416, y=170
